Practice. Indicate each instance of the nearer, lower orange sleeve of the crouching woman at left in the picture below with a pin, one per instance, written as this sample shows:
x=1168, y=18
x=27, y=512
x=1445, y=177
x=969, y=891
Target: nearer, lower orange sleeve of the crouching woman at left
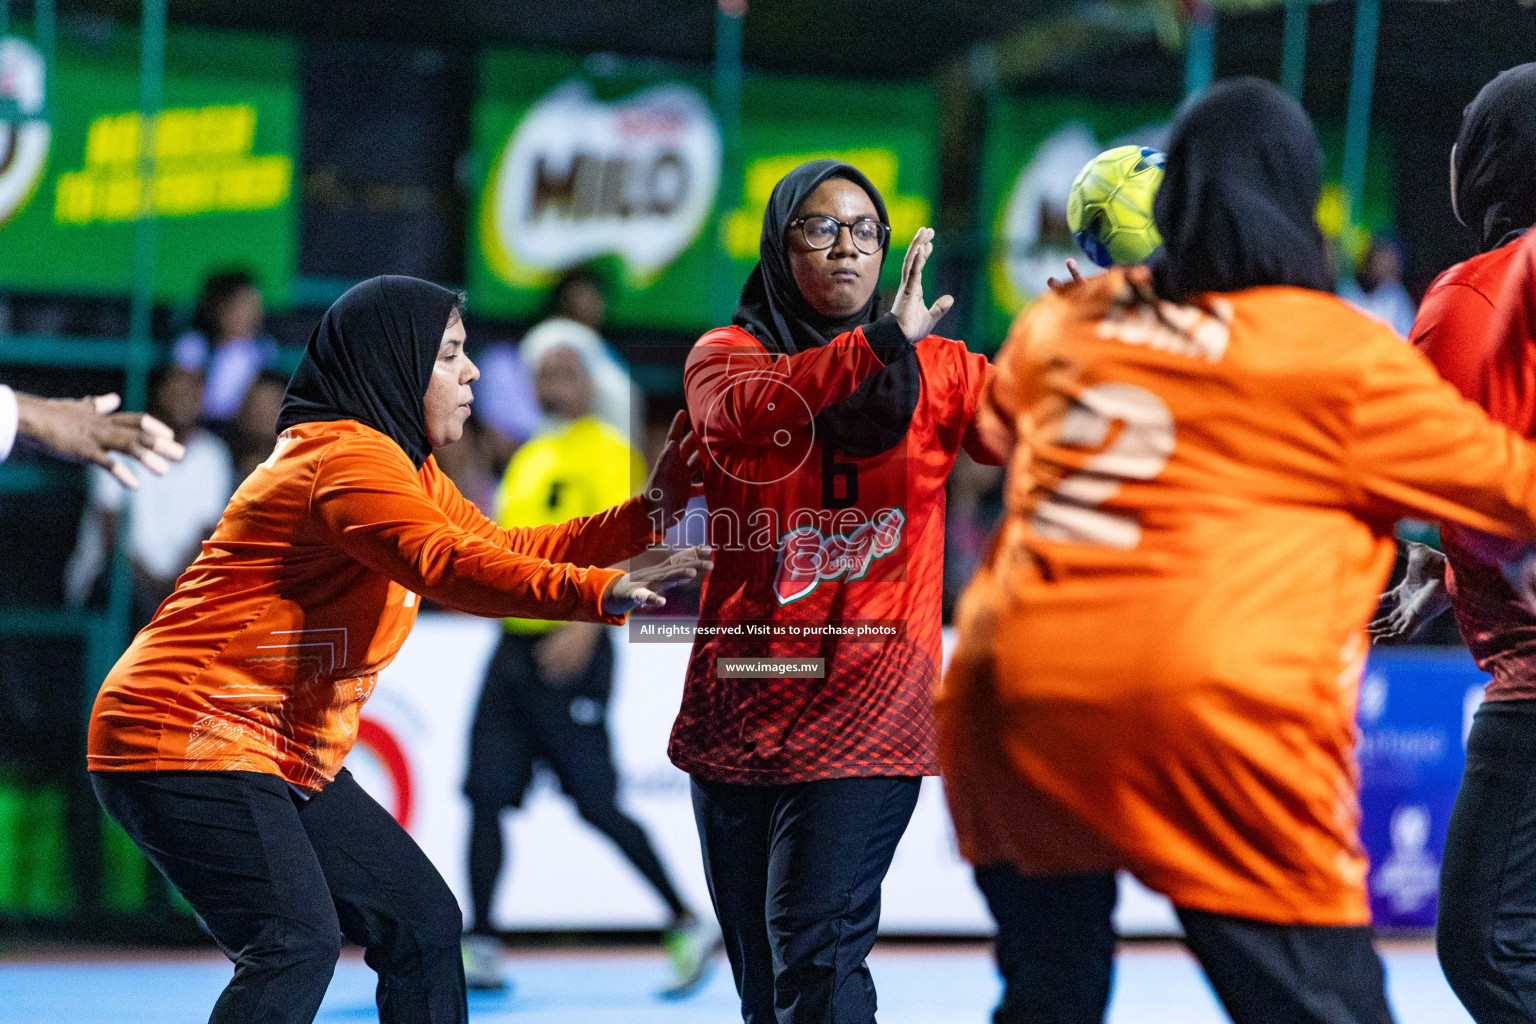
x=377, y=510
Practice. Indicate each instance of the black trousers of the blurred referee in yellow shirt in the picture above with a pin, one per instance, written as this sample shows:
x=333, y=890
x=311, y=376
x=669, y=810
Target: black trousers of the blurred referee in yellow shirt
x=523, y=719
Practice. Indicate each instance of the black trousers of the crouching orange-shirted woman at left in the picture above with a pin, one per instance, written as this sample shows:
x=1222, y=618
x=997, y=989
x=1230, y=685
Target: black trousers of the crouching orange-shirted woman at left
x=279, y=880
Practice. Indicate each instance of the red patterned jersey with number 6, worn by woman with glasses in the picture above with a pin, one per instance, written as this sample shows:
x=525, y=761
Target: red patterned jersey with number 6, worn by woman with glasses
x=847, y=552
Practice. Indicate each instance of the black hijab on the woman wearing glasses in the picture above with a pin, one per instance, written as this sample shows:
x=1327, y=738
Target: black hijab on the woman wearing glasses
x=878, y=415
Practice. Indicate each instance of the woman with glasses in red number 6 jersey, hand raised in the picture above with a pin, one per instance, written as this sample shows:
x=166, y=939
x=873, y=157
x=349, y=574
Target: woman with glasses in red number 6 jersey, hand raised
x=830, y=429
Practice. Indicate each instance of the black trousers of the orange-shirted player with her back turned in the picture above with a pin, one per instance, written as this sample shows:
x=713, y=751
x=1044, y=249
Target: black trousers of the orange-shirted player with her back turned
x=1056, y=950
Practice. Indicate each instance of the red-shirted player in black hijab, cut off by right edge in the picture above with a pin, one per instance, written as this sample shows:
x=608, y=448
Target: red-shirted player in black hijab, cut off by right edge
x=1477, y=328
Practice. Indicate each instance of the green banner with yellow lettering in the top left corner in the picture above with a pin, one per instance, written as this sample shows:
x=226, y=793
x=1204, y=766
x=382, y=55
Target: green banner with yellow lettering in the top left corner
x=225, y=144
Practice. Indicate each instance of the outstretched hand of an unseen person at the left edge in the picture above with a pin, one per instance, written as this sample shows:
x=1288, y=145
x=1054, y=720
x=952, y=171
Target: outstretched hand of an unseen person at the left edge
x=90, y=431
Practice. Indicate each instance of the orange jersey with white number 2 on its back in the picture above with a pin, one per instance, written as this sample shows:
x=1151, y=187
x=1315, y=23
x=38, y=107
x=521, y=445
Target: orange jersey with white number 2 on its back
x=1157, y=667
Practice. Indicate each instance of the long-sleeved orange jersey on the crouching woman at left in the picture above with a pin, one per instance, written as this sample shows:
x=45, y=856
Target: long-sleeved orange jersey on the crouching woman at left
x=271, y=644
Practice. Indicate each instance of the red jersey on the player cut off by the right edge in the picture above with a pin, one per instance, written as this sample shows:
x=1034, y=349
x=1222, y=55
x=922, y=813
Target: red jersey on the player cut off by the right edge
x=1491, y=357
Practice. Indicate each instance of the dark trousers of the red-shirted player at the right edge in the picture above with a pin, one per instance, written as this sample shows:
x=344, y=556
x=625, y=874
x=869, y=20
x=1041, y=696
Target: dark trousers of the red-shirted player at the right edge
x=1486, y=931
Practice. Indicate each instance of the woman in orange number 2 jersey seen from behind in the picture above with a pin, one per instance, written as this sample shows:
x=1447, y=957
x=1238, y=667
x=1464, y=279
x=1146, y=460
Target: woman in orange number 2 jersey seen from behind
x=1157, y=667
